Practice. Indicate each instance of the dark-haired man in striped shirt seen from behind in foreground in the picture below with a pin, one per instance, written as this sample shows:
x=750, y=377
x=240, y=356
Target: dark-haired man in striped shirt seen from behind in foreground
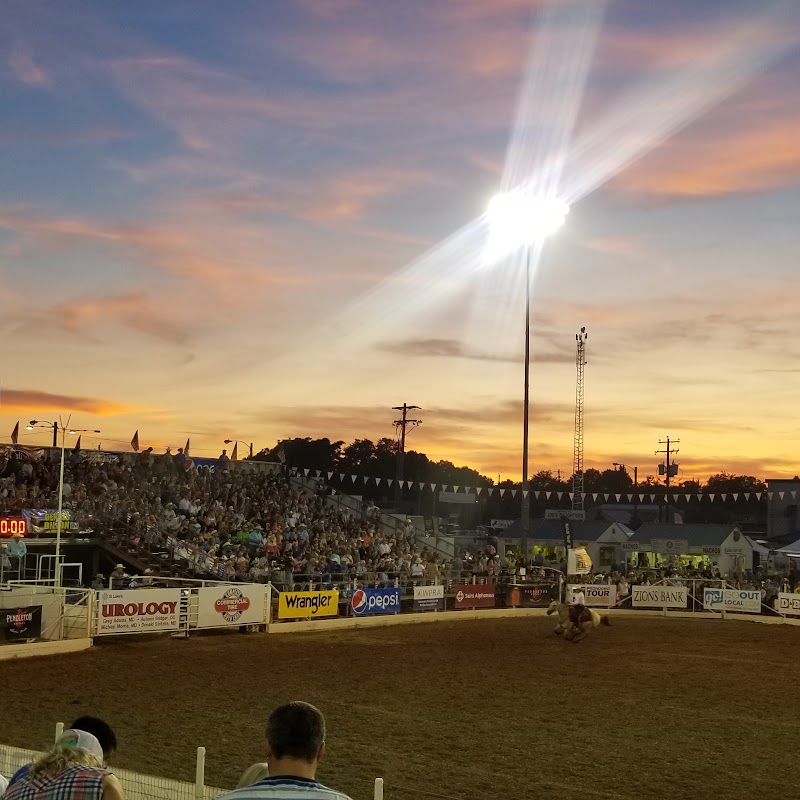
x=295, y=746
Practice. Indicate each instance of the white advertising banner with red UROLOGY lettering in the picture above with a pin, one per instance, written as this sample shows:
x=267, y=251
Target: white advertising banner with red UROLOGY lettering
x=138, y=610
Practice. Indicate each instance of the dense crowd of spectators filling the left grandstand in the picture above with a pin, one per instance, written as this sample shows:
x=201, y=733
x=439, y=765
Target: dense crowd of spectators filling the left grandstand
x=233, y=523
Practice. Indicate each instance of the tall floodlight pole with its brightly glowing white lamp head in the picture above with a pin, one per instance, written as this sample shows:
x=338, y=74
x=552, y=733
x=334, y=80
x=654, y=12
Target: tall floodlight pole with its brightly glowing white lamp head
x=517, y=219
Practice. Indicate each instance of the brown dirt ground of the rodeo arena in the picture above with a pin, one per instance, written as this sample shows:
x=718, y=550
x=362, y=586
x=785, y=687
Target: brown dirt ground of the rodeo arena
x=648, y=708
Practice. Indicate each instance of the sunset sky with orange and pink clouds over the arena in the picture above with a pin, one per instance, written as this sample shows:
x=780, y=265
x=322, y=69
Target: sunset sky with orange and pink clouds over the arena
x=262, y=220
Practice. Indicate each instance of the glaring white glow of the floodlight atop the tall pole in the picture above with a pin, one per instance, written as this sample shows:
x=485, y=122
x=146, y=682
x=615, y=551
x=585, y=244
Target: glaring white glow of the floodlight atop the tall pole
x=520, y=218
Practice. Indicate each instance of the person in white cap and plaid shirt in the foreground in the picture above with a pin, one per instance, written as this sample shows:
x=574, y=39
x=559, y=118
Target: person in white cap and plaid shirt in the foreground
x=72, y=770
